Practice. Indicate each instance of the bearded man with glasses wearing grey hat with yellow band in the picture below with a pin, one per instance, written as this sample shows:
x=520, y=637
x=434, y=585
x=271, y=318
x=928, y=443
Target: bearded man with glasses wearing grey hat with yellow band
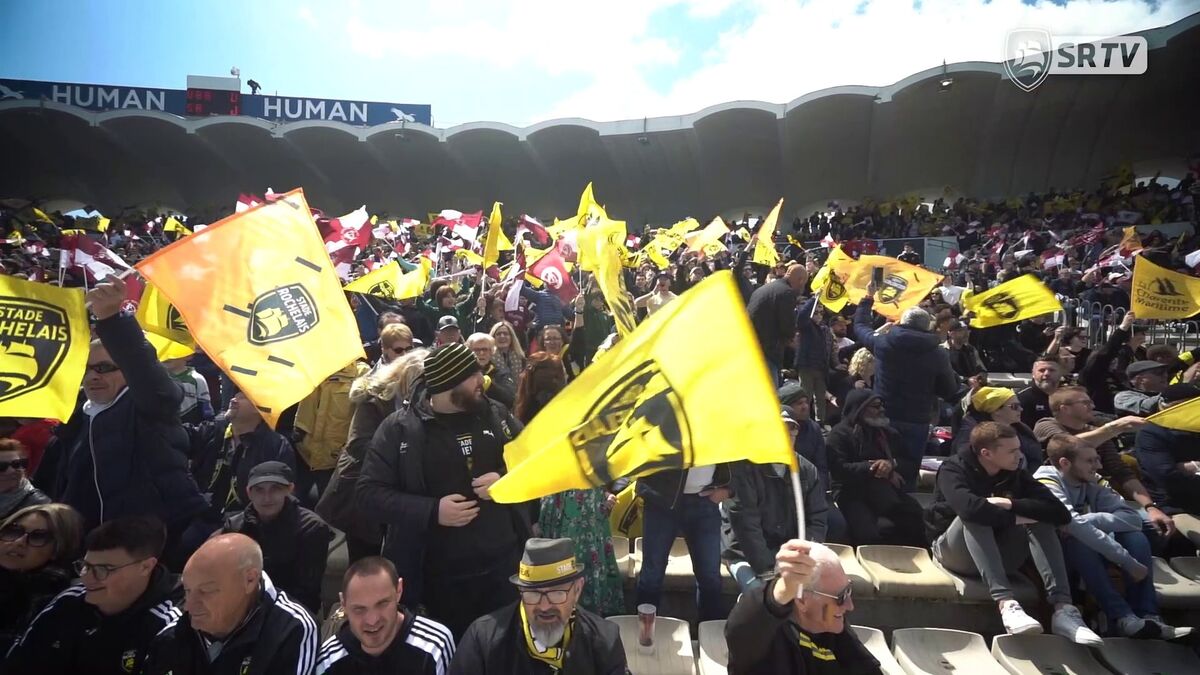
x=545, y=631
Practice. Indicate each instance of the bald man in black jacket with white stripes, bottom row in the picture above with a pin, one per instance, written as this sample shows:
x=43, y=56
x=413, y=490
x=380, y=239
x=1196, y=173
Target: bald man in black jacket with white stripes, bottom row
x=236, y=622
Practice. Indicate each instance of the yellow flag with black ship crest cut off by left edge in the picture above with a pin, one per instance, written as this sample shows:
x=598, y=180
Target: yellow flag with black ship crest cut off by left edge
x=44, y=349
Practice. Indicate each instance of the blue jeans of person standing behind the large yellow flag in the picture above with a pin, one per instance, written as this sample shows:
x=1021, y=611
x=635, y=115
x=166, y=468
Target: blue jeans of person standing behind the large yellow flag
x=700, y=522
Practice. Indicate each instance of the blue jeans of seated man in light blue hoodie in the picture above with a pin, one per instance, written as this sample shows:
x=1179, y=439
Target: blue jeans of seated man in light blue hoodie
x=1093, y=569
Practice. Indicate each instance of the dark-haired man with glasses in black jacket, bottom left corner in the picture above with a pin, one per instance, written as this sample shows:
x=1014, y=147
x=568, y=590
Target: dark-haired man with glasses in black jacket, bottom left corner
x=106, y=623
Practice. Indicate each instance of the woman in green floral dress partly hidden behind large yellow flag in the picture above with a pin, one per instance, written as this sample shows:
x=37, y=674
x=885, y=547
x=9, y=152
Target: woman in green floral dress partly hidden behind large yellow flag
x=579, y=515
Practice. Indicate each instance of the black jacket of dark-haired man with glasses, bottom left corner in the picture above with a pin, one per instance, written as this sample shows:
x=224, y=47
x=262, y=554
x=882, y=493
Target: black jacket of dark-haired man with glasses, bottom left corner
x=71, y=636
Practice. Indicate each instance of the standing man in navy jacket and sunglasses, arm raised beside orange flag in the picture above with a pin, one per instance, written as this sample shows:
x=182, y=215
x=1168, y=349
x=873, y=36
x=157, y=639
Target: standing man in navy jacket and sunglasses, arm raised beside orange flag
x=124, y=450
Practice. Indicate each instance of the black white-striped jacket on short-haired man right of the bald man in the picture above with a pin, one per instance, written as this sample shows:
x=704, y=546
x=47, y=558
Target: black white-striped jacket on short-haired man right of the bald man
x=422, y=647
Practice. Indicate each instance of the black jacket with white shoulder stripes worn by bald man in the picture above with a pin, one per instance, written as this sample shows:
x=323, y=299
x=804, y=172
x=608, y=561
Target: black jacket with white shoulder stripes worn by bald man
x=278, y=638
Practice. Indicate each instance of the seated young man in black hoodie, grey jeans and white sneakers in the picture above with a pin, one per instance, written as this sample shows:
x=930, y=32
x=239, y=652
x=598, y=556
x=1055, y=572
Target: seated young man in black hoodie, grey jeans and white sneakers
x=989, y=517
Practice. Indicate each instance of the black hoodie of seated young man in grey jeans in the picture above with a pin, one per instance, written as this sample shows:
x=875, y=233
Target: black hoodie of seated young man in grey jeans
x=964, y=487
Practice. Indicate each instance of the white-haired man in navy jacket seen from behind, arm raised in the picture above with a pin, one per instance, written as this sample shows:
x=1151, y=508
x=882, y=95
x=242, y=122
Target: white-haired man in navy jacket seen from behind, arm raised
x=913, y=372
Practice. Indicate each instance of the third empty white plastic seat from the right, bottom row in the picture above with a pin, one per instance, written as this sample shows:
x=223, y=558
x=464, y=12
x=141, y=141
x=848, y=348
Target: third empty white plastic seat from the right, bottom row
x=929, y=652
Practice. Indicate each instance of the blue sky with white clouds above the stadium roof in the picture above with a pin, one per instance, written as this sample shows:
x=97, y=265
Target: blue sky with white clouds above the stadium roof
x=529, y=61
